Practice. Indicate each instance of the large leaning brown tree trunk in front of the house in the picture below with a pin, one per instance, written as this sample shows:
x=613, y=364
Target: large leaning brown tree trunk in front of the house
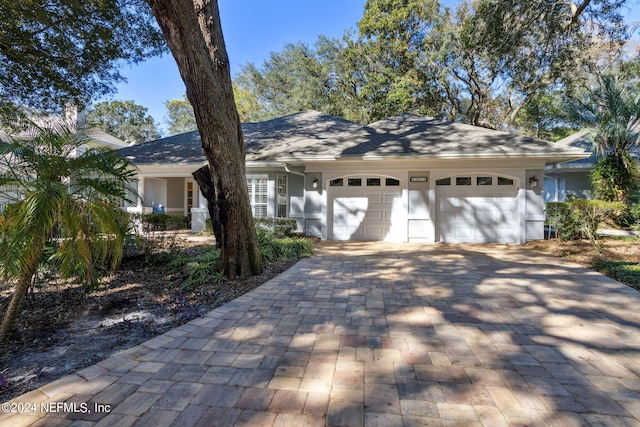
x=194, y=34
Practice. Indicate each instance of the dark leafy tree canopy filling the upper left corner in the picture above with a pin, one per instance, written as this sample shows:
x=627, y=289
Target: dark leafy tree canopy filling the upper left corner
x=68, y=51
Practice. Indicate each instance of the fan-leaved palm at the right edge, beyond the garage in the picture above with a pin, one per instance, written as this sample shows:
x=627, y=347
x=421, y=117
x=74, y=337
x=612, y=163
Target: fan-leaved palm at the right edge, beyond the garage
x=612, y=112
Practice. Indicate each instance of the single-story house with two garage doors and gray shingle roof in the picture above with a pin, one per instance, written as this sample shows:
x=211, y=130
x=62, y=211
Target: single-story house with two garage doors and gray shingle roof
x=406, y=178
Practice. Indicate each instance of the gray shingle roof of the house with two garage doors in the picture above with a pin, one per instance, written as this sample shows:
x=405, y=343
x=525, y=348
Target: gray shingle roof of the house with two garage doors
x=313, y=135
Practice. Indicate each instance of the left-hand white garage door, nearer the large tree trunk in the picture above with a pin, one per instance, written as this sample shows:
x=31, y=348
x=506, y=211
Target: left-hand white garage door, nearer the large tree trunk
x=366, y=208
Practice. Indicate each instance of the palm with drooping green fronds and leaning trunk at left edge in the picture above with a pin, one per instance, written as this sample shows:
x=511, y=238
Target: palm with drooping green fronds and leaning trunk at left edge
x=57, y=193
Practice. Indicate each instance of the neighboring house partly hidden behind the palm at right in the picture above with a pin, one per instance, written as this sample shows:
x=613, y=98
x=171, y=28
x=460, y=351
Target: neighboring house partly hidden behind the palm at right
x=571, y=179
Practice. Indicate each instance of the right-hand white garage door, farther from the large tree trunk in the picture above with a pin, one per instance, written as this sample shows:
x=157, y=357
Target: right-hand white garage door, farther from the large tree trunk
x=476, y=209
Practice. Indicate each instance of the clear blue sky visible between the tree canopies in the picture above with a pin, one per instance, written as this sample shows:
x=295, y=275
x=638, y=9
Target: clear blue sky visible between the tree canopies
x=252, y=30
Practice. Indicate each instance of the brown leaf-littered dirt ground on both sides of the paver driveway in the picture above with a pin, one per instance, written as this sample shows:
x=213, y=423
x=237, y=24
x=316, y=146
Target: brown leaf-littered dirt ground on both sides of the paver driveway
x=63, y=329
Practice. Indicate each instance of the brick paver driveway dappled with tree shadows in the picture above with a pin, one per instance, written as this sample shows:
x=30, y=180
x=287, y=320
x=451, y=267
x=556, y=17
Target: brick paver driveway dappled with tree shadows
x=380, y=334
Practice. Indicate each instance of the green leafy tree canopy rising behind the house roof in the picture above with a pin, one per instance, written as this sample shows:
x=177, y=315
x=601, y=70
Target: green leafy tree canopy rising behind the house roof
x=498, y=64
